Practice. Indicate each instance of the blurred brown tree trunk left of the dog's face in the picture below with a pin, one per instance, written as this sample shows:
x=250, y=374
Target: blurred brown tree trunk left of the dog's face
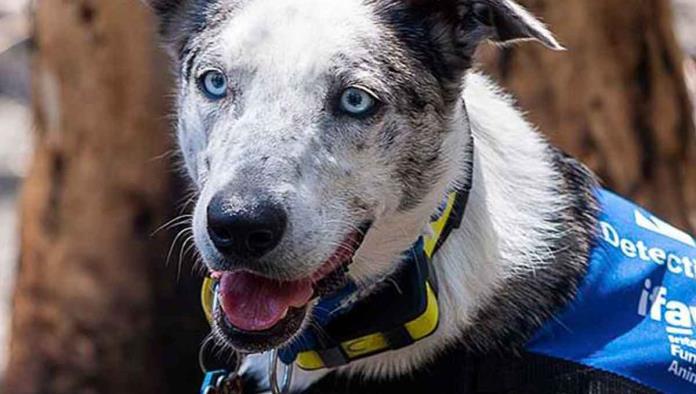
x=95, y=311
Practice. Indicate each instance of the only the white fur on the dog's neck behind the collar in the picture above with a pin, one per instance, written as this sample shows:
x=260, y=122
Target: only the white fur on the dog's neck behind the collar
x=500, y=236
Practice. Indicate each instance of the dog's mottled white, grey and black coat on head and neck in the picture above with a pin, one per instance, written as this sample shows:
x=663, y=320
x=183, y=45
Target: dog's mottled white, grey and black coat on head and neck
x=530, y=223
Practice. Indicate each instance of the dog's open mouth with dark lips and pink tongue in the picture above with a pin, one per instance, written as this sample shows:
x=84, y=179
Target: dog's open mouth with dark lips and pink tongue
x=256, y=313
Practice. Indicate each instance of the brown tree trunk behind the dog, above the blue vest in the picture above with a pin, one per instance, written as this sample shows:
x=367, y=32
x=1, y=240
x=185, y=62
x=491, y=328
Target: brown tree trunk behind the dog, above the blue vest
x=616, y=99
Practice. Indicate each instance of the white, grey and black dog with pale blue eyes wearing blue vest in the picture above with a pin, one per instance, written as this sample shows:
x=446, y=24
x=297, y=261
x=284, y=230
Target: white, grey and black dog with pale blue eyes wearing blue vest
x=323, y=138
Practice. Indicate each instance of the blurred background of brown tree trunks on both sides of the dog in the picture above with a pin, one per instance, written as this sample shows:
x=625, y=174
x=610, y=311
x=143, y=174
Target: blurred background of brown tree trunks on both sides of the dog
x=88, y=303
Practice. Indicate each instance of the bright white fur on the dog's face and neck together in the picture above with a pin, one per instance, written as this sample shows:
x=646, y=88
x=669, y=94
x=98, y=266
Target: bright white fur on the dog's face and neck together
x=279, y=67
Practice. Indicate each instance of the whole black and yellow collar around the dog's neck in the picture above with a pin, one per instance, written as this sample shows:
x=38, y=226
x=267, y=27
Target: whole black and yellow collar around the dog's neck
x=401, y=311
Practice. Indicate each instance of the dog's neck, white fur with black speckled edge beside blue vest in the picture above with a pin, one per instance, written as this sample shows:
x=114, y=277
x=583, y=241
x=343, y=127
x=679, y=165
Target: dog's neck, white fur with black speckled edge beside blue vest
x=522, y=246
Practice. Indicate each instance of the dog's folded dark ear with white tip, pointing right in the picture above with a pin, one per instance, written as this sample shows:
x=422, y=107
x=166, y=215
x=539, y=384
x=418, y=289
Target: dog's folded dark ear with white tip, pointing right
x=501, y=21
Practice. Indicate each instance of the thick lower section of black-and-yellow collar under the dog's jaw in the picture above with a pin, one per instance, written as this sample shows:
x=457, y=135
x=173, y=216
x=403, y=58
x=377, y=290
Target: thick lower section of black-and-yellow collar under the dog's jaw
x=400, y=312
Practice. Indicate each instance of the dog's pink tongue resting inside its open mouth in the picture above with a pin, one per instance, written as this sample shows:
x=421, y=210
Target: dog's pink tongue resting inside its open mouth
x=254, y=303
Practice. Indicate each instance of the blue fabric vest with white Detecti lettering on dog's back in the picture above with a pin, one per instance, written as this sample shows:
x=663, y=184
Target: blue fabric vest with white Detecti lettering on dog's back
x=635, y=312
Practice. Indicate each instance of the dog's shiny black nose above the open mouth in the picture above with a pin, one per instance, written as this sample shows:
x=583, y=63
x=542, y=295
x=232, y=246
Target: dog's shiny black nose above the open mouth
x=250, y=231
